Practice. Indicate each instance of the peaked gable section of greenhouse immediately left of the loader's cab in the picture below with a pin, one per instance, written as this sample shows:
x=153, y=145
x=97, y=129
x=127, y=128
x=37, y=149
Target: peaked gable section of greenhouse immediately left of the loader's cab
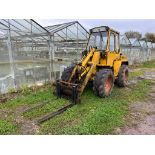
x=69, y=40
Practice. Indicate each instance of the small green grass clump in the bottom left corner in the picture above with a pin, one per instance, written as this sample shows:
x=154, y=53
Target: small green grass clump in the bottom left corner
x=7, y=128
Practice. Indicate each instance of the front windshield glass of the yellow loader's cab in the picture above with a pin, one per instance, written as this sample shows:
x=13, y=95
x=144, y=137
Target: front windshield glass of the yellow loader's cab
x=99, y=40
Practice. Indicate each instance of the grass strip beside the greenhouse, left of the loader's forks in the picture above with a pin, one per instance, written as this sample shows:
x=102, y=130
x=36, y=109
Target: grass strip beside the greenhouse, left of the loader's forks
x=23, y=98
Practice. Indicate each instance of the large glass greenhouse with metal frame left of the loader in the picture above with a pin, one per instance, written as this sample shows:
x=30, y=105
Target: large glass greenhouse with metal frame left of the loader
x=31, y=54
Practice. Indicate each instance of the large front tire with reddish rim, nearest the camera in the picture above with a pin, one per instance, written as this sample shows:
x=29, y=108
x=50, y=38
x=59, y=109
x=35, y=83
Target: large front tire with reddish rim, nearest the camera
x=100, y=81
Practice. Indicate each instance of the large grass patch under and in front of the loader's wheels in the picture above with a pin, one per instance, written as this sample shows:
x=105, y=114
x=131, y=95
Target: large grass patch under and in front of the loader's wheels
x=95, y=115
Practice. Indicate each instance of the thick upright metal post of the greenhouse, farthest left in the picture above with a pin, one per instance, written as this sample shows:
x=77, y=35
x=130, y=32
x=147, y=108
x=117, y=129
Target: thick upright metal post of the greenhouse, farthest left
x=12, y=67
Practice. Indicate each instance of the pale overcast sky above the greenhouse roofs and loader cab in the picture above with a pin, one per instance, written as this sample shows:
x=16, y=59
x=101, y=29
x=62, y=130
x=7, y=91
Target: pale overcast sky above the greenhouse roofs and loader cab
x=122, y=25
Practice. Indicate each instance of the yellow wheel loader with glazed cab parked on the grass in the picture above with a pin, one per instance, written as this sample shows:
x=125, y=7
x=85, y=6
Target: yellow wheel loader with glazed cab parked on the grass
x=102, y=63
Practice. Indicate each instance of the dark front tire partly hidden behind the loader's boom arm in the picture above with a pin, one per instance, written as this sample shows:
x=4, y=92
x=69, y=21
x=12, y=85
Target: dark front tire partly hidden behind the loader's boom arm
x=67, y=73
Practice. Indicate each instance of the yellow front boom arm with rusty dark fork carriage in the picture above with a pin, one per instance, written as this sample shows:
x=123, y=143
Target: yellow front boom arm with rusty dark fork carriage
x=81, y=74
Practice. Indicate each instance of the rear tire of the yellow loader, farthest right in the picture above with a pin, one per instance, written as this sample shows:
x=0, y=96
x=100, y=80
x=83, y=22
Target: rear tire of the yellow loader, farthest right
x=122, y=80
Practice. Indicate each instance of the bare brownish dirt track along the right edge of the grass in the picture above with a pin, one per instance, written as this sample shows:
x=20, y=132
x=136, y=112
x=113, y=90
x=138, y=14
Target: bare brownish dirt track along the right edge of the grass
x=141, y=119
